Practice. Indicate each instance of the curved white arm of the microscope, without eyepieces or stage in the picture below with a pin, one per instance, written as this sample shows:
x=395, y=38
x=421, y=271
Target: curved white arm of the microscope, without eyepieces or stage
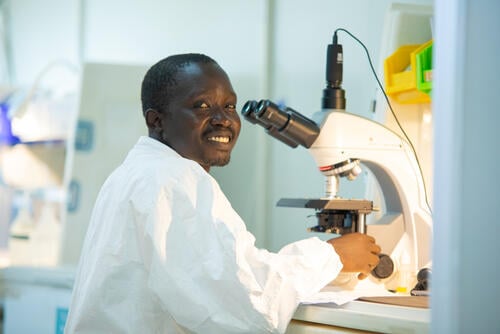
x=343, y=137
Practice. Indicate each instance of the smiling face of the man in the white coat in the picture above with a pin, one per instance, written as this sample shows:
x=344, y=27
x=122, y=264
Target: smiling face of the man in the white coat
x=201, y=122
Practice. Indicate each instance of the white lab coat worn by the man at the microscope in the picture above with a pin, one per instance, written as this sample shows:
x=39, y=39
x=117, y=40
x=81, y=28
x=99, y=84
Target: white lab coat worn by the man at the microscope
x=166, y=253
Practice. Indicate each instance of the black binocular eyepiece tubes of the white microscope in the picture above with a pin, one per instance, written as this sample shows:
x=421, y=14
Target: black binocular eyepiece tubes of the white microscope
x=284, y=124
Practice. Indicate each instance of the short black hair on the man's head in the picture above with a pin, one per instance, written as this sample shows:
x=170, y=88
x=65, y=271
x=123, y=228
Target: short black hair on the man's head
x=161, y=77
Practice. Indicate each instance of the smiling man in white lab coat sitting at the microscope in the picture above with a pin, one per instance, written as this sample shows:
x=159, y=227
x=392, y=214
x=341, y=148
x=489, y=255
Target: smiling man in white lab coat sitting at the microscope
x=166, y=253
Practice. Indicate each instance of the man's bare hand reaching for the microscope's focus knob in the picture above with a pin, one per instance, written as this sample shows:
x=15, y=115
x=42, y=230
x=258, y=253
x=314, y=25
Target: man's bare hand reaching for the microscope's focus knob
x=358, y=253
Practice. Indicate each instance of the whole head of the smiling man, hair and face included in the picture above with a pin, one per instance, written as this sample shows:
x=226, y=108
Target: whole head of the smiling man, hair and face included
x=200, y=120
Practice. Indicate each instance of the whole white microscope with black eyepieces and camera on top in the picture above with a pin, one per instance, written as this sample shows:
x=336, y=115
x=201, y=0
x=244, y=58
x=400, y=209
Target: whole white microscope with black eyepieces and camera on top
x=340, y=144
